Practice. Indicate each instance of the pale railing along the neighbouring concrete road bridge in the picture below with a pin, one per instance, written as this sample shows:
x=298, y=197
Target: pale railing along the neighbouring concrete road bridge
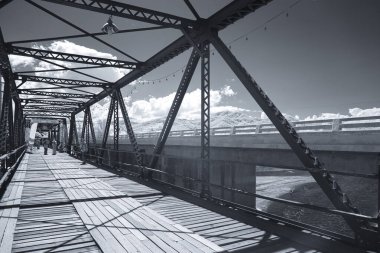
x=371, y=123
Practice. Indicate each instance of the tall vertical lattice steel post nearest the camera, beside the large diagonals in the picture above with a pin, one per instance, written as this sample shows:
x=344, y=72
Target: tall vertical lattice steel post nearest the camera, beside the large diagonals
x=205, y=119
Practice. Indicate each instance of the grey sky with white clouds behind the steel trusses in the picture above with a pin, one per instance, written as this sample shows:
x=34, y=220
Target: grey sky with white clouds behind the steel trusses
x=314, y=58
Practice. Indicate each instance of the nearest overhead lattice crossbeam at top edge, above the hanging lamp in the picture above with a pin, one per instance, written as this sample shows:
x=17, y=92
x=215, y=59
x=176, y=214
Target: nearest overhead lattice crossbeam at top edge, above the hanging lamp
x=128, y=11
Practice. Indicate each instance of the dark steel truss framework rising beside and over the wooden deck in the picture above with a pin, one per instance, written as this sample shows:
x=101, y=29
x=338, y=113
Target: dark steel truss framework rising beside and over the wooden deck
x=197, y=34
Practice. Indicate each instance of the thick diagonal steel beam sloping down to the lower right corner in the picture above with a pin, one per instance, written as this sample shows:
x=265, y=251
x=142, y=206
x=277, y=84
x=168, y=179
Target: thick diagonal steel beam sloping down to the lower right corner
x=321, y=175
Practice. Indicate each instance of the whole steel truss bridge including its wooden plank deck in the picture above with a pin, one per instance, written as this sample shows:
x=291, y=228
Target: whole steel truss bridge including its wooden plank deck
x=53, y=203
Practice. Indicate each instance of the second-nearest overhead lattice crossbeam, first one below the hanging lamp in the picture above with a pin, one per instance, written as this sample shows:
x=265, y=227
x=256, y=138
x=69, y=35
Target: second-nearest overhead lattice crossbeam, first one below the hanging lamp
x=46, y=54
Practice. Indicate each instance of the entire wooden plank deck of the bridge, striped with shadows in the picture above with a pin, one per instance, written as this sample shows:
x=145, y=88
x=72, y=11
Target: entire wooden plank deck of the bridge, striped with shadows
x=55, y=204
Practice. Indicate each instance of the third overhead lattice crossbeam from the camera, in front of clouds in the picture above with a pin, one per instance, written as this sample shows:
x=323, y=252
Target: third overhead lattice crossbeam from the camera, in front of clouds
x=51, y=80
